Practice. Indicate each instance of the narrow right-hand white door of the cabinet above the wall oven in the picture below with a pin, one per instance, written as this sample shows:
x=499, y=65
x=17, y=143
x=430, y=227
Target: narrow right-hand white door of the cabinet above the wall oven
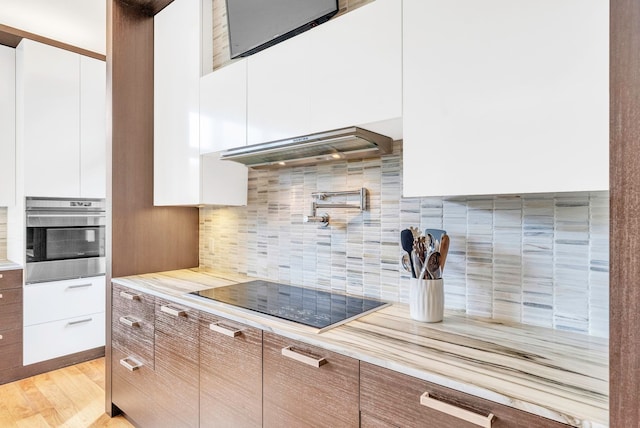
x=93, y=137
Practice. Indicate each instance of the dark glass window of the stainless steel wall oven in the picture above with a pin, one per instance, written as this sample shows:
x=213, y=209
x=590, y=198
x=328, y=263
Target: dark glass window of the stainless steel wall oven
x=63, y=243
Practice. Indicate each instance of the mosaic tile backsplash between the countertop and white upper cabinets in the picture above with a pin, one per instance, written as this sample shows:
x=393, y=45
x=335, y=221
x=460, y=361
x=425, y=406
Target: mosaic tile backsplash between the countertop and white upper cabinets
x=539, y=259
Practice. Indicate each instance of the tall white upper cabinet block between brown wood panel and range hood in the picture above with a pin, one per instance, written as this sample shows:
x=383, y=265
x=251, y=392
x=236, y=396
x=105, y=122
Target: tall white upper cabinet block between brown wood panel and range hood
x=181, y=175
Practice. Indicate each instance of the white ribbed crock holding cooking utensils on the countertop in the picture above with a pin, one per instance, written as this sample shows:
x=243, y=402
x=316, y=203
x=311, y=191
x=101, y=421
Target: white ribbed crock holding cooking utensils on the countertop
x=426, y=300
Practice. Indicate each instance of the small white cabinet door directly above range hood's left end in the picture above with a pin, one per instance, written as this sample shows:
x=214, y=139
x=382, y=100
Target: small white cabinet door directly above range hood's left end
x=223, y=108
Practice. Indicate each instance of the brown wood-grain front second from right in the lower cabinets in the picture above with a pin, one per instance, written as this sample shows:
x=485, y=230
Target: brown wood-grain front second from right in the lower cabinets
x=299, y=394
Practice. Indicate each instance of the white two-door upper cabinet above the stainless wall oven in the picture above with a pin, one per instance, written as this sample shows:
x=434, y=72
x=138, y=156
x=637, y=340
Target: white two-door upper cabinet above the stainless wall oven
x=60, y=122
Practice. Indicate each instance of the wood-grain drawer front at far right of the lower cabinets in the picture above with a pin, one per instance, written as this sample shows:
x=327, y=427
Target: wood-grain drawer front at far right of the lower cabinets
x=395, y=398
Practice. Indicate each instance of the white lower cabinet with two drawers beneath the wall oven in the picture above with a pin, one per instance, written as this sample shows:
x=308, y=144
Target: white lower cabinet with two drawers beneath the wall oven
x=63, y=317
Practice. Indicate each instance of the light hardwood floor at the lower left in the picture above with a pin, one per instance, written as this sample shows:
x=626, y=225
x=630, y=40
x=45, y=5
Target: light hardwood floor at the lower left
x=71, y=397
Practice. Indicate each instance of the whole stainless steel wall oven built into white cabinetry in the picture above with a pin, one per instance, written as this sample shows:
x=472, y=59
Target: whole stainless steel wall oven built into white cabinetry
x=65, y=238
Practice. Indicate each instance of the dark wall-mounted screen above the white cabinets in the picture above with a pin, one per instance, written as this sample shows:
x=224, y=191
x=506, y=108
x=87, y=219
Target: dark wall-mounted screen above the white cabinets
x=257, y=24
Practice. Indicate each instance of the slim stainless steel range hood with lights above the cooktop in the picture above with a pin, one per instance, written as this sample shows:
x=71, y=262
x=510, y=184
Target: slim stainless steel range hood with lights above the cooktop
x=345, y=143
